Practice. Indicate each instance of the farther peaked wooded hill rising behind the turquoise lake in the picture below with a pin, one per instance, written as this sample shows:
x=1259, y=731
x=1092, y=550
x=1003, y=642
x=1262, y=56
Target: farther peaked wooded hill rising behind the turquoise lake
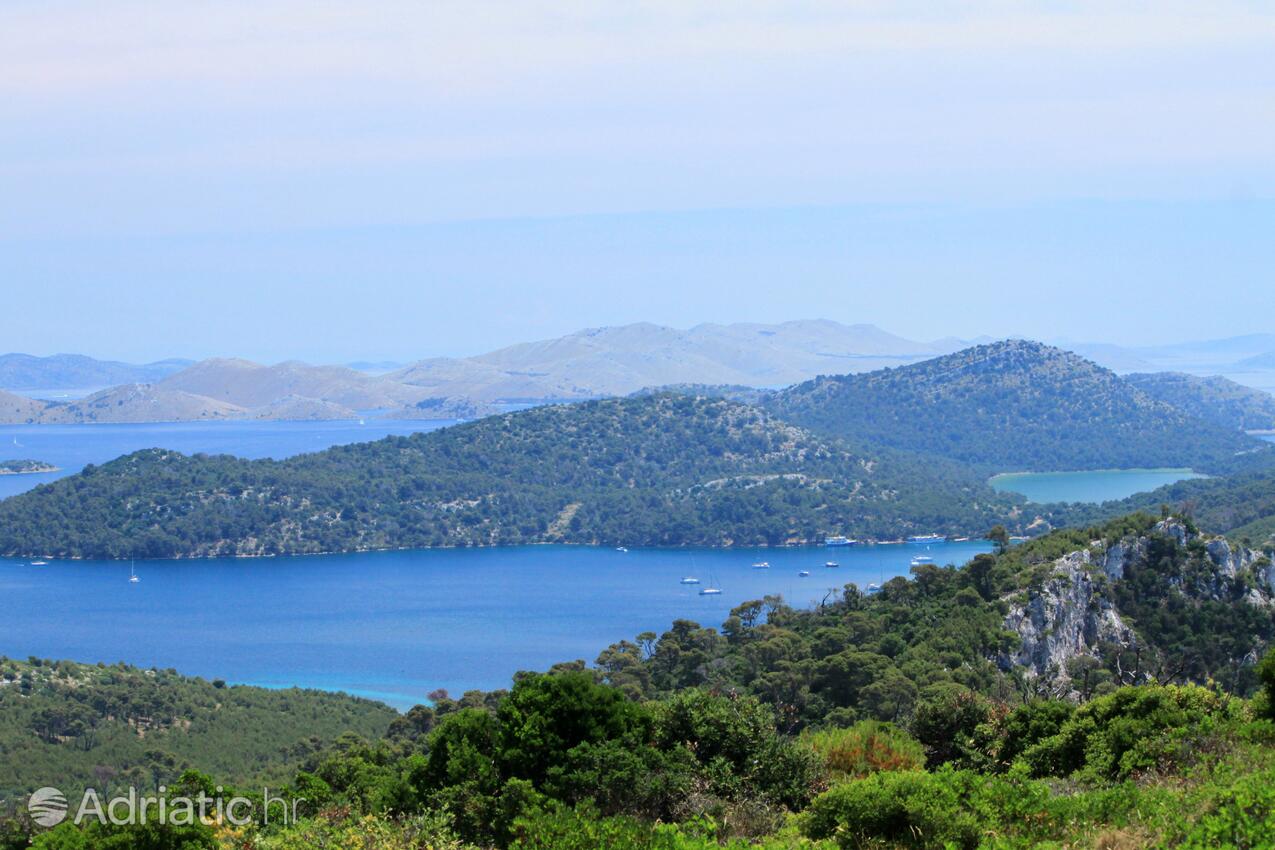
x=1012, y=406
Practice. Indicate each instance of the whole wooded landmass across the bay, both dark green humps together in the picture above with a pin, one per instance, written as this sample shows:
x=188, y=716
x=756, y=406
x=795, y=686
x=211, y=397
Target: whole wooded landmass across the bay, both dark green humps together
x=880, y=456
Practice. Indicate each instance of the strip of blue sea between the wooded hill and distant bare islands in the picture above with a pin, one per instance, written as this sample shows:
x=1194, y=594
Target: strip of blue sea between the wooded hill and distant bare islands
x=72, y=447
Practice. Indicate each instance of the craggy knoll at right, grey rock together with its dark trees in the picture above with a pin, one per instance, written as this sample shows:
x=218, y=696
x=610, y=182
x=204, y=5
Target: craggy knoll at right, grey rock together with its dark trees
x=1147, y=601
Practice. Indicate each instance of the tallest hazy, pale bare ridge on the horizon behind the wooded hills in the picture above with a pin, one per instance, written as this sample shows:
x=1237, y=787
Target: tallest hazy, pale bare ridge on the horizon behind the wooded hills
x=618, y=361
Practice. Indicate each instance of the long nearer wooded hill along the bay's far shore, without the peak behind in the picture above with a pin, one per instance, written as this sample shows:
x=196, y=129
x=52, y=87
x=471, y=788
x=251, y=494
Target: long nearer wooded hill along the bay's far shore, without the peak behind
x=656, y=471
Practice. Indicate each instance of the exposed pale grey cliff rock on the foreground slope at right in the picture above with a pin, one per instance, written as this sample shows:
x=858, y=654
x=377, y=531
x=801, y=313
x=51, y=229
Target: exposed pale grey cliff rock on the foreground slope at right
x=1075, y=612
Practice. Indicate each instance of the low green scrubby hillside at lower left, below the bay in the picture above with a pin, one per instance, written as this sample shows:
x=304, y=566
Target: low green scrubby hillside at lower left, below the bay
x=87, y=724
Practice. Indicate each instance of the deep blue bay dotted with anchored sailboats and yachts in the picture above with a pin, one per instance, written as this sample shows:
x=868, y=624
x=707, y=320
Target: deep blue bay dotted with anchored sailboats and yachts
x=397, y=625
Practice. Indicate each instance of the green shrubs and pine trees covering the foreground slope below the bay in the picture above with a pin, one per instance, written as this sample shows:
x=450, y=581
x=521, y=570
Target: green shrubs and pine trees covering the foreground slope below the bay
x=893, y=721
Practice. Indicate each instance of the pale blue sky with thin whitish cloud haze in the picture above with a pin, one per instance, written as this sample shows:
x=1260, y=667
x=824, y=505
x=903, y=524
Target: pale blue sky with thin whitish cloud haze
x=393, y=180
